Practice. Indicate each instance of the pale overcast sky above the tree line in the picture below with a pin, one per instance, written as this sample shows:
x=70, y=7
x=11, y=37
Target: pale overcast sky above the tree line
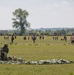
x=42, y=13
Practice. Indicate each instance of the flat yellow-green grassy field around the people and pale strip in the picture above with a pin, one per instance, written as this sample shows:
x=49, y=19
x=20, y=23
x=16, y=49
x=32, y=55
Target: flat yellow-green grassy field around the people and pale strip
x=41, y=50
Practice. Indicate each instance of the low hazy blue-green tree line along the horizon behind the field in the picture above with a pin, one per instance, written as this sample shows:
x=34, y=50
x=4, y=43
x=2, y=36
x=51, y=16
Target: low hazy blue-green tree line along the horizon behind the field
x=47, y=32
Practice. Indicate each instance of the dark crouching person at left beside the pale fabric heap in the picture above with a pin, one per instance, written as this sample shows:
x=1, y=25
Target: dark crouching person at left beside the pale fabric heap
x=4, y=52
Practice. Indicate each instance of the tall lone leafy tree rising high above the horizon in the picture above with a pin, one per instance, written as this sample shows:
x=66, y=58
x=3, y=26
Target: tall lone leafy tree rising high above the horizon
x=19, y=20
